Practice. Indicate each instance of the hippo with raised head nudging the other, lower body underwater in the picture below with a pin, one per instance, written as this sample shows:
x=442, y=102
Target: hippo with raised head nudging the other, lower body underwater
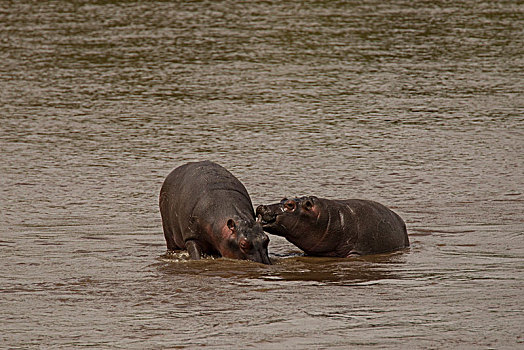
x=337, y=228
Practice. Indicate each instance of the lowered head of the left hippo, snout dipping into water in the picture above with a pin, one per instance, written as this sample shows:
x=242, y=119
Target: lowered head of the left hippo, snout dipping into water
x=246, y=240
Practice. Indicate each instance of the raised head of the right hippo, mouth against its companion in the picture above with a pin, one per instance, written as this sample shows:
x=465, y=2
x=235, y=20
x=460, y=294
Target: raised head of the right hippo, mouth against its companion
x=295, y=219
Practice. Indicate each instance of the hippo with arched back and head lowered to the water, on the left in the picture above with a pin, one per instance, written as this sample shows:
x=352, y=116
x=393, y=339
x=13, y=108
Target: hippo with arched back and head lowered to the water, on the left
x=207, y=210
